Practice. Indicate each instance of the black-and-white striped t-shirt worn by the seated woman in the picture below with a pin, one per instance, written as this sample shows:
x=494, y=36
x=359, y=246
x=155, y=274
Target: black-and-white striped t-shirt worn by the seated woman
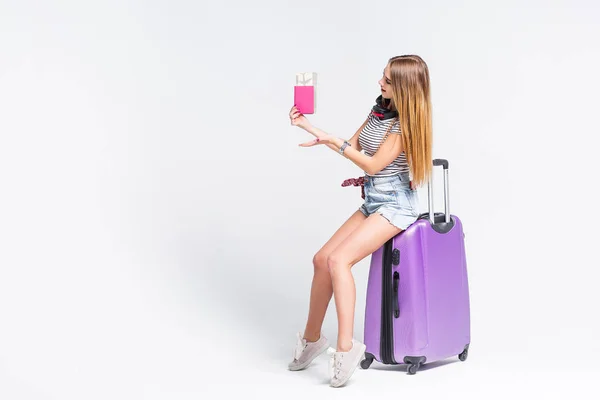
x=370, y=138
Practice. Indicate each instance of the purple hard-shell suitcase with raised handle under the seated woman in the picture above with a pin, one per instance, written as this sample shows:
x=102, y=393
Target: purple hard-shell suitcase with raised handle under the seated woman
x=417, y=307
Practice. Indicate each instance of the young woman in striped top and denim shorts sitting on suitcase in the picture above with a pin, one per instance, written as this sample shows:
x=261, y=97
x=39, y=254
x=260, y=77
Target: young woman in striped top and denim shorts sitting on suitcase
x=396, y=139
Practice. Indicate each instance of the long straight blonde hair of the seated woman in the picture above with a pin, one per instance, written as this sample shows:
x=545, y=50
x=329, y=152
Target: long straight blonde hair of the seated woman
x=411, y=98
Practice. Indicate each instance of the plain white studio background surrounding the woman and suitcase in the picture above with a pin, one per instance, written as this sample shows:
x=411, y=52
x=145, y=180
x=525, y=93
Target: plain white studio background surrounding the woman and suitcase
x=158, y=220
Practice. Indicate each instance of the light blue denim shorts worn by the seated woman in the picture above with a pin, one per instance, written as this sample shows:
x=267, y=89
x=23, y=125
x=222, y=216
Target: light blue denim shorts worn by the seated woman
x=393, y=198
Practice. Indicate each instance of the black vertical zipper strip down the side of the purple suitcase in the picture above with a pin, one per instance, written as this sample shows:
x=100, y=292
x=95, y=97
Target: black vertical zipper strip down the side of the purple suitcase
x=388, y=305
